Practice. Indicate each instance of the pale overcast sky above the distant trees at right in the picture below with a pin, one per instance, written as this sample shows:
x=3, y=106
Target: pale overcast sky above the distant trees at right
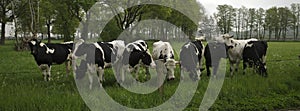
x=210, y=5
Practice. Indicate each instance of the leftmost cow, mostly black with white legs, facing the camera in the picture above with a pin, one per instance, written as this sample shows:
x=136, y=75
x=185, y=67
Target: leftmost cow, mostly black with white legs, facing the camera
x=47, y=54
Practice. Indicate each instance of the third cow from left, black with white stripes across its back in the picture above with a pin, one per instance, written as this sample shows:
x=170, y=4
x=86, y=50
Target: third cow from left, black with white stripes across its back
x=135, y=55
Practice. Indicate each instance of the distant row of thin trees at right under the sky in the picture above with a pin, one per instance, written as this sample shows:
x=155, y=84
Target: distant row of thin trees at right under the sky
x=275, y=23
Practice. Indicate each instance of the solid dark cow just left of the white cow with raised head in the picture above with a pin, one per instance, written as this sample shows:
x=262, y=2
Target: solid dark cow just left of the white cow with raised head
x=213, y=53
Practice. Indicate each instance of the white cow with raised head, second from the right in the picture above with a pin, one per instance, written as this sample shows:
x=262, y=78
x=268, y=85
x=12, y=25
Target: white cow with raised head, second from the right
x=235, y=51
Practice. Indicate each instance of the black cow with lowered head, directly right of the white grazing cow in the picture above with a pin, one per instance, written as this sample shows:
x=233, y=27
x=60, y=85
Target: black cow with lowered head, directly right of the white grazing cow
x=191, y=59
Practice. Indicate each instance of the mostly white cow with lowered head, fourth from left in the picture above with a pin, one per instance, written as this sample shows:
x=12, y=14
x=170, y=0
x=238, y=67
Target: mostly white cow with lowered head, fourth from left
x=163, y=55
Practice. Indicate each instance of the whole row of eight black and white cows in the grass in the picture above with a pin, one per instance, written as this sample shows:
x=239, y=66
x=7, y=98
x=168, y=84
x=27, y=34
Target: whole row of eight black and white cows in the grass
x=130, y=57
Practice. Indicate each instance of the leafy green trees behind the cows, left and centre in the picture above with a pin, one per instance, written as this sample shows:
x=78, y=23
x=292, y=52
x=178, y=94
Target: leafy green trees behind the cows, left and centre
x=41, y=18
